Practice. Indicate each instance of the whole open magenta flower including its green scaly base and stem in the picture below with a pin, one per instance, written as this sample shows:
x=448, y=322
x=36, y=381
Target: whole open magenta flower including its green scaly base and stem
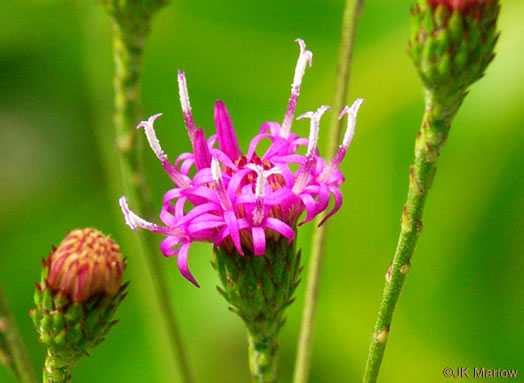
x=249, y=204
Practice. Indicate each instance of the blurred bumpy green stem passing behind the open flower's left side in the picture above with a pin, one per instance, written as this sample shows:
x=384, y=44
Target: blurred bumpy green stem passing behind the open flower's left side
x=128, y=52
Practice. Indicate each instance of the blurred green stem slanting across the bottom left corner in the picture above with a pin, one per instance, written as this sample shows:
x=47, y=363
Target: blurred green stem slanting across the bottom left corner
x=13, y=352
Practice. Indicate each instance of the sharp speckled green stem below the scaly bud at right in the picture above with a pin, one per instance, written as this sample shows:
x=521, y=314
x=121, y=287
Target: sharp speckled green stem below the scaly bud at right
x=430, y=140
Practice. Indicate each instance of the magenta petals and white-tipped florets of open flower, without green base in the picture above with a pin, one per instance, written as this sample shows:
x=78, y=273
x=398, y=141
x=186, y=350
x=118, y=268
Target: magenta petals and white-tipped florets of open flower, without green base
x=240, y=201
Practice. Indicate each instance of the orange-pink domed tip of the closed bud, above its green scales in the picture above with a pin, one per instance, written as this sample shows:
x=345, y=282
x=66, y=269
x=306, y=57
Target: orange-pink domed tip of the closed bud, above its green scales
x=86, y=263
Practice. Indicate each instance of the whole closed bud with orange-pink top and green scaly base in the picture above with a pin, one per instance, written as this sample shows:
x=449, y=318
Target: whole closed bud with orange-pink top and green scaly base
x=80, y=289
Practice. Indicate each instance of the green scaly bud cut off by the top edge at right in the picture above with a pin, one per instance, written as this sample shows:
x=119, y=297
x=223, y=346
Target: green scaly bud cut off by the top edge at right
x=452, y=42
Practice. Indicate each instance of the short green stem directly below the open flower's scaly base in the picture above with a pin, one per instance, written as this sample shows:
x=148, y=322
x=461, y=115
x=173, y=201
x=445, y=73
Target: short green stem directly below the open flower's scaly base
x=263, y=357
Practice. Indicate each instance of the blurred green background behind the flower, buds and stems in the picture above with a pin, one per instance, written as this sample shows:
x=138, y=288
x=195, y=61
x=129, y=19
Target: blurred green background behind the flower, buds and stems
x=463, y=302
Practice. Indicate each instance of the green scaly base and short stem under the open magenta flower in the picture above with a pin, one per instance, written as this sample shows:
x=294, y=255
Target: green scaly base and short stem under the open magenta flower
x=259, y=288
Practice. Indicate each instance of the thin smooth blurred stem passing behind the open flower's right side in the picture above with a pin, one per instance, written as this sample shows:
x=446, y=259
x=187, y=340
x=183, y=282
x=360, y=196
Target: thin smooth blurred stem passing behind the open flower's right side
x=352, y=13
